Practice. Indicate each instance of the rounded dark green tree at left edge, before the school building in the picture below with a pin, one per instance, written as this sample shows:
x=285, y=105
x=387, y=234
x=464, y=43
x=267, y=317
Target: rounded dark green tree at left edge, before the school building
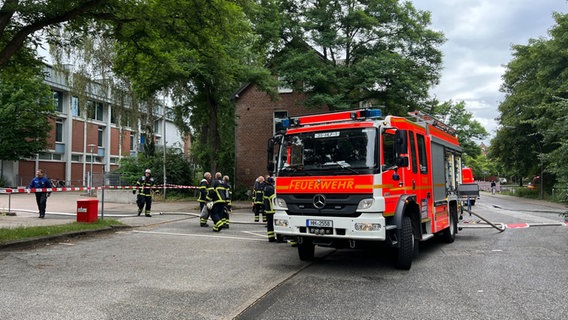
x=26, y=105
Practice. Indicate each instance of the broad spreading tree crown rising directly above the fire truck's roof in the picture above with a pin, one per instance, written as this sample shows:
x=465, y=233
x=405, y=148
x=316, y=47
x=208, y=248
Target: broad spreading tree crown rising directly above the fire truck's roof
x=377, y=51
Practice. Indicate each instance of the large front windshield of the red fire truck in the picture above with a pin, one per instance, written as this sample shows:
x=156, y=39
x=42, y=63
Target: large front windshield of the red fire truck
x=337, y=152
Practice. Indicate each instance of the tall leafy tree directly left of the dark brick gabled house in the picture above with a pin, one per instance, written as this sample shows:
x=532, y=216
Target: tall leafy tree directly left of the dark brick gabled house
x=200, y=52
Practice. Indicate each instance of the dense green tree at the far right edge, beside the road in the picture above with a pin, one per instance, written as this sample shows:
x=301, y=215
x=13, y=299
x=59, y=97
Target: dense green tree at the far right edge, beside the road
x=533, y=115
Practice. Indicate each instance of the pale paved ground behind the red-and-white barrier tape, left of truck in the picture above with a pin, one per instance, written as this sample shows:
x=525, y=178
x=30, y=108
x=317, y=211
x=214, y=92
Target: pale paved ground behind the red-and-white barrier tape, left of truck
x=62, y=209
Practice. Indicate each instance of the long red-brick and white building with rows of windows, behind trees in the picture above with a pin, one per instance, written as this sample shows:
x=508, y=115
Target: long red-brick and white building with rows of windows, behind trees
x=87, y=141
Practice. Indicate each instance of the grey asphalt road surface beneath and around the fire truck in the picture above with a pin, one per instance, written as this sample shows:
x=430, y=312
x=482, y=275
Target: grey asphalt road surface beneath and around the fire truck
x=177, y=270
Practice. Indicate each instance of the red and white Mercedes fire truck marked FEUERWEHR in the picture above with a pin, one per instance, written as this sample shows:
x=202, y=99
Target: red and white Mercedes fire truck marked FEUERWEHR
x=353, y=178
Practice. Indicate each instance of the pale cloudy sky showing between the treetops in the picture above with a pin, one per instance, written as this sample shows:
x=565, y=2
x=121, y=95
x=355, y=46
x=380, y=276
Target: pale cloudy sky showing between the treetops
x=479, y=35
